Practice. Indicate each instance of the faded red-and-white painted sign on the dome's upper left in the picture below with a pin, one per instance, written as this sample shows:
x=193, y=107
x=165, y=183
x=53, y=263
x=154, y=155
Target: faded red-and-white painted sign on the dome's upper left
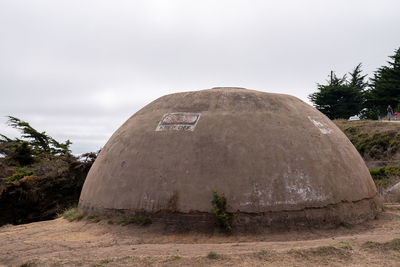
x=178, y=121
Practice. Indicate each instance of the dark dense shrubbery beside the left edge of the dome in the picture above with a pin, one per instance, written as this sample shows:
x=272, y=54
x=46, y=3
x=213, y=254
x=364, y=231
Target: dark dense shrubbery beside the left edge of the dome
x=55, y=186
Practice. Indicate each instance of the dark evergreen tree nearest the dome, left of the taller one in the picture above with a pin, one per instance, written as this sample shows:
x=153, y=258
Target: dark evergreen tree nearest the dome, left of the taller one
x=341, y=98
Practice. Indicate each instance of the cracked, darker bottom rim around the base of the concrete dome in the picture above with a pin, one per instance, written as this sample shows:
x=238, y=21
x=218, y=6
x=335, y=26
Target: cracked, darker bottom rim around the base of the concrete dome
x=321, y=217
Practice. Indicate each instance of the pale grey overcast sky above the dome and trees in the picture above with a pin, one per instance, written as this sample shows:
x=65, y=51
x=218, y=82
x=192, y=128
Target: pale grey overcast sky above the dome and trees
x=79, y=69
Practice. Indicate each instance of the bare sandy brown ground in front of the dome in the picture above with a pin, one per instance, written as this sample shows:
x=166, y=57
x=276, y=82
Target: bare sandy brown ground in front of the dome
x=59, y=242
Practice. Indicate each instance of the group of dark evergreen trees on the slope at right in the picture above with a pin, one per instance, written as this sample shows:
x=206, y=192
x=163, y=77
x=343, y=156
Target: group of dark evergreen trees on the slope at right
x=355, y=94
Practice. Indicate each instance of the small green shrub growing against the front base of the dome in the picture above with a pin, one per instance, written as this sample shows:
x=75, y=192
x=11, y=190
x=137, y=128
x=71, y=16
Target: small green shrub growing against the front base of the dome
x=224, y=218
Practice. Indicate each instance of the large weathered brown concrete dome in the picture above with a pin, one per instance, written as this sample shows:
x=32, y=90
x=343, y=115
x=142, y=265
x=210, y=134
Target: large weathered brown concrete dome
x=276, y=159
